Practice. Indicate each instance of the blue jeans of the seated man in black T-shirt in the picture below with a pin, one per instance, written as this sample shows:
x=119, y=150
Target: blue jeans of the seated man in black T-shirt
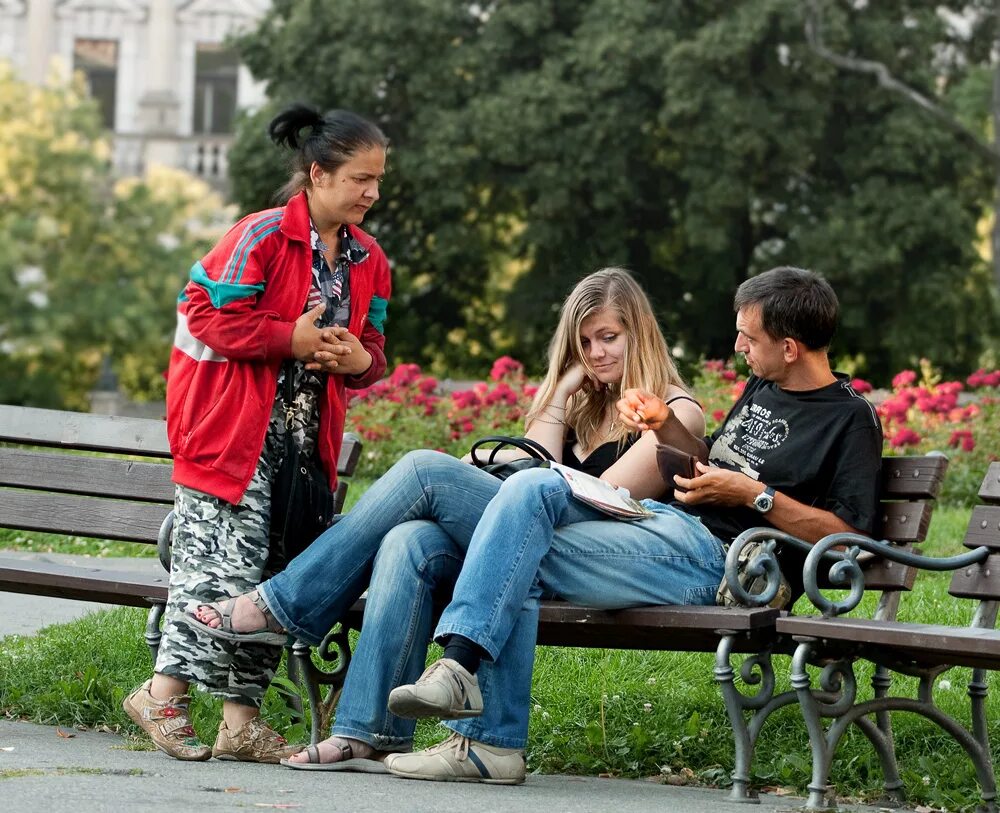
x=669, y=558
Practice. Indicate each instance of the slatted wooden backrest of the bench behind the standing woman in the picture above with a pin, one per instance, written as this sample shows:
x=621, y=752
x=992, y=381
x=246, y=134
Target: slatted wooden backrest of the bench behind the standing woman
x=70, y=490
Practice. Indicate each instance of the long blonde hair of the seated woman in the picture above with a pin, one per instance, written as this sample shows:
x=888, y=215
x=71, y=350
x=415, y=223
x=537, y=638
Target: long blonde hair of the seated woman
x=647, y=362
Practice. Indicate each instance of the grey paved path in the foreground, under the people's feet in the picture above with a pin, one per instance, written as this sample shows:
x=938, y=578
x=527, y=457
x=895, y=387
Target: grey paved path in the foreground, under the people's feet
x=92, y=772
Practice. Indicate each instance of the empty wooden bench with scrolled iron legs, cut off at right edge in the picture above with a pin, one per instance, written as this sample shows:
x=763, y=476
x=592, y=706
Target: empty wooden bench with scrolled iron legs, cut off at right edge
x=923, y=651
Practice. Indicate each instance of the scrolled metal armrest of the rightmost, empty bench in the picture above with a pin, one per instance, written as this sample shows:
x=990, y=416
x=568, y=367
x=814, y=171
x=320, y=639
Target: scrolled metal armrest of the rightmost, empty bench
x=846, y=572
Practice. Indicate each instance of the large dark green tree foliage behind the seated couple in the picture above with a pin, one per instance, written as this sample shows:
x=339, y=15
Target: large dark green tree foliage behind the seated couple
x=696, y=143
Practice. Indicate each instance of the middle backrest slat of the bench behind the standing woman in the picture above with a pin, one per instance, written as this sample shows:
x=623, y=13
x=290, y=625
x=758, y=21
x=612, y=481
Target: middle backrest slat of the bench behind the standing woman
x=80, y=474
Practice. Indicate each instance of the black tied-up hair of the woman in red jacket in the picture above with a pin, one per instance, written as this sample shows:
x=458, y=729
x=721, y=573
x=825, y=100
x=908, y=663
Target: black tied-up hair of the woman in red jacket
x=334, y=138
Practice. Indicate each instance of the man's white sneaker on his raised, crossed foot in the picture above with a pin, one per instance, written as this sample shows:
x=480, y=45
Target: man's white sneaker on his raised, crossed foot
x=445, y=690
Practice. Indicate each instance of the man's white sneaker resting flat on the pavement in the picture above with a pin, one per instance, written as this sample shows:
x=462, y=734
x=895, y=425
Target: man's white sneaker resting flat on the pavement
x=459, y=759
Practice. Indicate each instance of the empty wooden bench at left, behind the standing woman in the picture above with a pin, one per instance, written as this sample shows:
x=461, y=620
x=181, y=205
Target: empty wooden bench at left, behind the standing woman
x=95, y=476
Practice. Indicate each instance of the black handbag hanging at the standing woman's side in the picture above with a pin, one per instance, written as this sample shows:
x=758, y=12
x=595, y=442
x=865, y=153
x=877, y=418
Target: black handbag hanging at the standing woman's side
x=302, y=505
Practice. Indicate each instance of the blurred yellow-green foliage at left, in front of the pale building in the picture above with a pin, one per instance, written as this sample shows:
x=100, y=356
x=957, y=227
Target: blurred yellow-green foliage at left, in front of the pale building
x=89, y=269
